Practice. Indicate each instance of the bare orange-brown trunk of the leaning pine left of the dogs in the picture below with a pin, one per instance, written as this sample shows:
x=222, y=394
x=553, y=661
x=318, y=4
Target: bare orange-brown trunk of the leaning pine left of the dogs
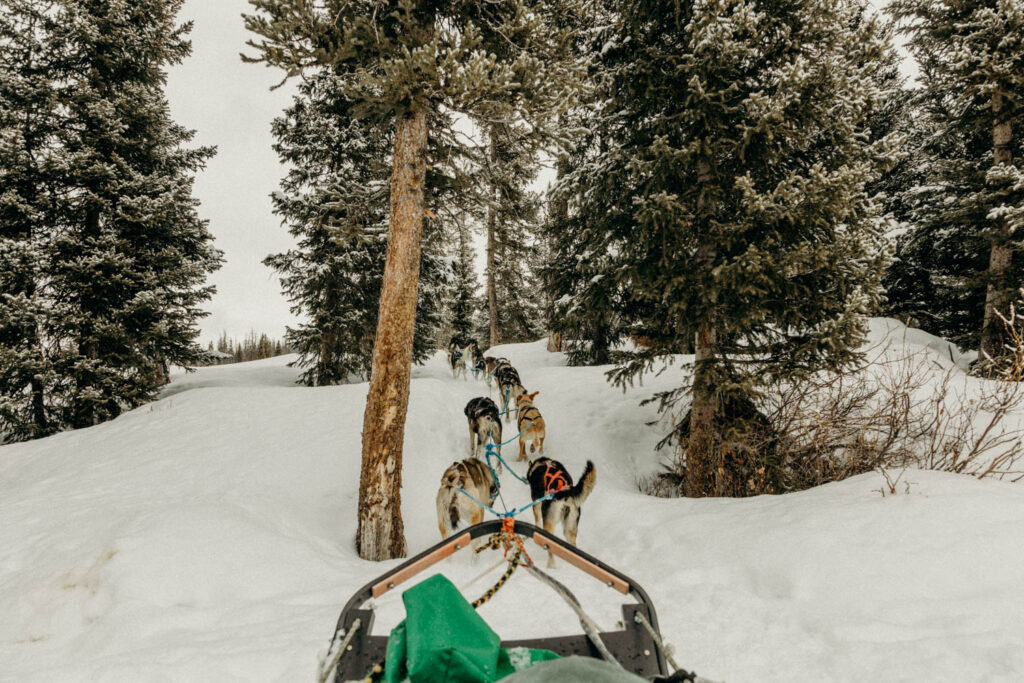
x=381, y=534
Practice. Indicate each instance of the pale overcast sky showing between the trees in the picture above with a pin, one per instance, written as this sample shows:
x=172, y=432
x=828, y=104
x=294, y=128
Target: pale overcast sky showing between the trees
x=231, y=106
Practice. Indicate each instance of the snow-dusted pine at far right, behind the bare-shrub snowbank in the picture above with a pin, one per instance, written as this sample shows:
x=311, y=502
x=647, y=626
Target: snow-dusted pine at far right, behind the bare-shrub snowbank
x=971, y=54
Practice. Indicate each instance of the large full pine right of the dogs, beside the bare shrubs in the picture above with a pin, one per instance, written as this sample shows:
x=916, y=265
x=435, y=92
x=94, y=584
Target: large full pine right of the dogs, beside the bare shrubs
x=724, y=206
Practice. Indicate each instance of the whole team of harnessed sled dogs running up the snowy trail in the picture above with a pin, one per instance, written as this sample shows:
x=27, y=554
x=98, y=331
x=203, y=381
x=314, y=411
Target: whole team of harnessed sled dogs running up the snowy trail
x=476, y=478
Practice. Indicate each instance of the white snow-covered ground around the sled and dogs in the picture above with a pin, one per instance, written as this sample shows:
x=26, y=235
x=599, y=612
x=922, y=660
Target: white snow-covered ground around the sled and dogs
x=209, y=537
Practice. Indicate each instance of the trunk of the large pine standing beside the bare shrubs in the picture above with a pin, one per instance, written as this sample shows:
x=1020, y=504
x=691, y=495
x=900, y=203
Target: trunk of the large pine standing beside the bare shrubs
x=702, y=453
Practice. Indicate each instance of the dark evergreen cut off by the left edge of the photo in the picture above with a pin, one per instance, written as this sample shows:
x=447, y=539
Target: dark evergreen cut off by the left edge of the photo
x=31, y=127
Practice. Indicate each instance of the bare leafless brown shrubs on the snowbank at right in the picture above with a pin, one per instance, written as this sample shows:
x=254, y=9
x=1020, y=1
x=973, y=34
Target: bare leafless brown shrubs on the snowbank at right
x=898, y=411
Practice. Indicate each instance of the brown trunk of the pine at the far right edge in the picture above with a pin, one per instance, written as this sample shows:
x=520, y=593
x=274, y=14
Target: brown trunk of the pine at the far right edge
x=1001, y=293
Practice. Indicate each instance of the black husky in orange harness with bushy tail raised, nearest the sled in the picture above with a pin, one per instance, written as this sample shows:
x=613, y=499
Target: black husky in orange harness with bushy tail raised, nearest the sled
x=550, y=477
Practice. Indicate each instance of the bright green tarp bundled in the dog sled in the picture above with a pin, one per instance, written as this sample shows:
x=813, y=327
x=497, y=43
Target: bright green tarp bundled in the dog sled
x=444, y=641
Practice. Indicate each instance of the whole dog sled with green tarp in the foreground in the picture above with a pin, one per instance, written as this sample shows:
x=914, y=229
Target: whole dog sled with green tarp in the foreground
x=444, y=641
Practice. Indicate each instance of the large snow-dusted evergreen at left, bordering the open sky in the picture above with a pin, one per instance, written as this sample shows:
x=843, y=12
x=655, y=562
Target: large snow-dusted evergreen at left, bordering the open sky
x=119, y=254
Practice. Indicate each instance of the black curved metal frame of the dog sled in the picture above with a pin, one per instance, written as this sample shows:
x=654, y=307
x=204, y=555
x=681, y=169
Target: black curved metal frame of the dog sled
x=633, y=647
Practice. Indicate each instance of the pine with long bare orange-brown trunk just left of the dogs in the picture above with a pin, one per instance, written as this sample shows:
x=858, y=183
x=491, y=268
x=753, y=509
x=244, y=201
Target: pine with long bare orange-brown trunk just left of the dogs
x=402, y=62
